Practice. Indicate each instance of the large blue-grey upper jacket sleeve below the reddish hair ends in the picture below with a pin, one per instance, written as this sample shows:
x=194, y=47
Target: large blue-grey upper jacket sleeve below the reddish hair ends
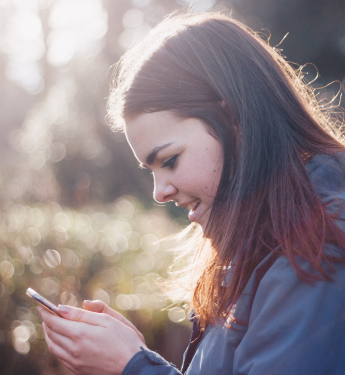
x=294, y=327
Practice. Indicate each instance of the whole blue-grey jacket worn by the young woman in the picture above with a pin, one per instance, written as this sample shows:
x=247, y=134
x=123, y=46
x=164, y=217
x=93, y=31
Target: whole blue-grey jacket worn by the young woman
x=290, y=327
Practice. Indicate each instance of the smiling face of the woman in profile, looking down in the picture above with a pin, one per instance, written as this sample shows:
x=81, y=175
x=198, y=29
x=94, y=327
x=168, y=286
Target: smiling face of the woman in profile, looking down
x=186, y=160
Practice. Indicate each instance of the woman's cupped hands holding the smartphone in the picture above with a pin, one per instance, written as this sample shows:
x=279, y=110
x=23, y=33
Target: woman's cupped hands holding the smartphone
x=90, y=343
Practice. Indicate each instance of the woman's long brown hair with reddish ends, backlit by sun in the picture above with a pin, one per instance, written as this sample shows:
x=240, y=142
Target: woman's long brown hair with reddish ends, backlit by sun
x=268, y=121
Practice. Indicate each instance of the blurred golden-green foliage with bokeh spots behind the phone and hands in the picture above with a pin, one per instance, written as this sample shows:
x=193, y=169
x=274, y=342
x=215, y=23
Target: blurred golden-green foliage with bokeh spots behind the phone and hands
x=108, y=253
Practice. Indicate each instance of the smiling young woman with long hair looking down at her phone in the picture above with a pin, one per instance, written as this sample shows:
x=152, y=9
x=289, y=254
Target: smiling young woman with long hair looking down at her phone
x=234, y=134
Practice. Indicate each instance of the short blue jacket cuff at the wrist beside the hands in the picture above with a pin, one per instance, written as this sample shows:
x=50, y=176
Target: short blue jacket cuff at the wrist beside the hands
x=148, y=362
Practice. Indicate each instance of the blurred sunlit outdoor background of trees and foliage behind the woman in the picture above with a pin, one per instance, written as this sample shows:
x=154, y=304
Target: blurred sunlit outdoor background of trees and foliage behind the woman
x=77, y=218
